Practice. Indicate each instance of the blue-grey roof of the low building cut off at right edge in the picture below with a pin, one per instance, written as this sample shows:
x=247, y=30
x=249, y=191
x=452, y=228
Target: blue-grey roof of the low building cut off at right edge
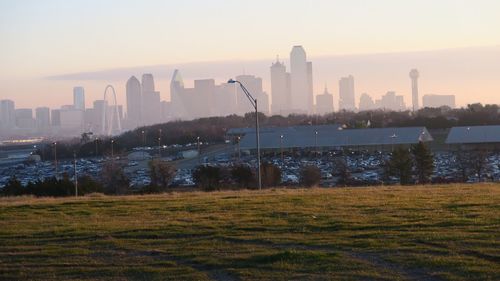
x=473, y=134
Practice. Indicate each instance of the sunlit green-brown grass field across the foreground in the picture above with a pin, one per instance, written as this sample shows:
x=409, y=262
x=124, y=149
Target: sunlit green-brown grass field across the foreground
x=384, y=233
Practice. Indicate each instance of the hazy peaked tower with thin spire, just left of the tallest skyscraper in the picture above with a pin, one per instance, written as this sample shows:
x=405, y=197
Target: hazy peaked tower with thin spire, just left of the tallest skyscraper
x=280, y=89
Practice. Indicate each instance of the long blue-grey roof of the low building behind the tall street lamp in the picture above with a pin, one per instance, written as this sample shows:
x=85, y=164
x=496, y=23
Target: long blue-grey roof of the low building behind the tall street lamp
x=334, y=137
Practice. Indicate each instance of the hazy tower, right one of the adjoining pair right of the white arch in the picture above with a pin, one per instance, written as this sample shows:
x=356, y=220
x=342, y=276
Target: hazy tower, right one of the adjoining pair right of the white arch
x=151, y=107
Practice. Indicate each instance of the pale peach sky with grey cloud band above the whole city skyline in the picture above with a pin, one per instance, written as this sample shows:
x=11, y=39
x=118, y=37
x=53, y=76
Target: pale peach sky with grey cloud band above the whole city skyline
x=51, y=46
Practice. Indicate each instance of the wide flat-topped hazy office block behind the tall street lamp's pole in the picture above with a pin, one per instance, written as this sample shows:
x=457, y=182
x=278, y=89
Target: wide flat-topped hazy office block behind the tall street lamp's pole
x=254, y=86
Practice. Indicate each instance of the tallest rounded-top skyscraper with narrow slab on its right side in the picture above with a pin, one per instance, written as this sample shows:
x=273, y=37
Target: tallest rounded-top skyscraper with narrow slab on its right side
x=300, y=80
